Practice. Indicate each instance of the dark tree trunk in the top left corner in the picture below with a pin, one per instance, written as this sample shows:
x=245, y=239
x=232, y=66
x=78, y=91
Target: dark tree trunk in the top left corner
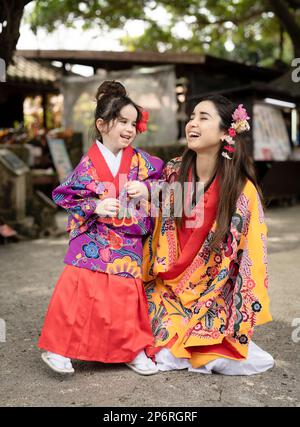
x=11, y=12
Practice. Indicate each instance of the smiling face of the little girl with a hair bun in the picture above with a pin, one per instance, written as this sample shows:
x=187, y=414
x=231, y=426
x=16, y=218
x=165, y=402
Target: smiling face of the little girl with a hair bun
x=121, y=132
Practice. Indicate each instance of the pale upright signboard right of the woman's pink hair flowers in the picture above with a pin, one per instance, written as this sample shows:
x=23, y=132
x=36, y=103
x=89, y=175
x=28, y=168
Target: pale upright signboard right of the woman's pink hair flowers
x=271, y=139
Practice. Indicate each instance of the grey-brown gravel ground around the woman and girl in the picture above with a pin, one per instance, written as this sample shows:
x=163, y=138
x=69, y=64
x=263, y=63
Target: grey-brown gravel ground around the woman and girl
x=29, y=271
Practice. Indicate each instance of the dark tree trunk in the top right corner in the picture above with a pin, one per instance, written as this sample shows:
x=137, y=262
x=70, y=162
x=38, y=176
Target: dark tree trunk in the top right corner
x=281, y=10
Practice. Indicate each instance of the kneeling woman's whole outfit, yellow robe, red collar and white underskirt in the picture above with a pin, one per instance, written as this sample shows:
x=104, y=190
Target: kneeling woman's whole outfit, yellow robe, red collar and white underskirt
x=204, y=304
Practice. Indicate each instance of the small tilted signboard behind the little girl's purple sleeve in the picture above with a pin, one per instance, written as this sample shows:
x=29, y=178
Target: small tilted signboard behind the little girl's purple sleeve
x=60, y=157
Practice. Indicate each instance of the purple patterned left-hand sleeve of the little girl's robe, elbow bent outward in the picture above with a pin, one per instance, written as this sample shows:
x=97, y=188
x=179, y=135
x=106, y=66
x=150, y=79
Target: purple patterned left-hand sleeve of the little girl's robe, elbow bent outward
x=76, y=195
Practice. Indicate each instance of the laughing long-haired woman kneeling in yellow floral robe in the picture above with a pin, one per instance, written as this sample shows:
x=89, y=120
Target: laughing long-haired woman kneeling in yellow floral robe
x=207, y=283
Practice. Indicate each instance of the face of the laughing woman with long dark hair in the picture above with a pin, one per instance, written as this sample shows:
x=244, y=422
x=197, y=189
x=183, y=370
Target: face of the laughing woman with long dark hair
x=203, y=129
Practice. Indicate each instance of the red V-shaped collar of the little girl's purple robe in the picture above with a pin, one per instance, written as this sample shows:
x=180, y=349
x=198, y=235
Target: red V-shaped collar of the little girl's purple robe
x=102, y=168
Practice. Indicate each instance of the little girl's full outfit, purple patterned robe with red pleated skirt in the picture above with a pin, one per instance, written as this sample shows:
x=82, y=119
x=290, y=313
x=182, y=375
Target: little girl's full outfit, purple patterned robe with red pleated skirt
x=98, y=310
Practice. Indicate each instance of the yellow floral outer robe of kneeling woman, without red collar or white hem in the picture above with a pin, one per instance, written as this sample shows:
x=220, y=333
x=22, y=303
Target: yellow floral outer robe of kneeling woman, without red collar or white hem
x=210, y=309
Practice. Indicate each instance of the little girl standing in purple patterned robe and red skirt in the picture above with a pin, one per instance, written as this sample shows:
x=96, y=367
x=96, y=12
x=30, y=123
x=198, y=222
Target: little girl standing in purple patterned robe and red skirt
x=98, y=310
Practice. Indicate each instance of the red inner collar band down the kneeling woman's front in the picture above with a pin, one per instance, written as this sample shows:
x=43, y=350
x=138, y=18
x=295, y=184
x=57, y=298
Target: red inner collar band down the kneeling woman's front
x=191, y=239
